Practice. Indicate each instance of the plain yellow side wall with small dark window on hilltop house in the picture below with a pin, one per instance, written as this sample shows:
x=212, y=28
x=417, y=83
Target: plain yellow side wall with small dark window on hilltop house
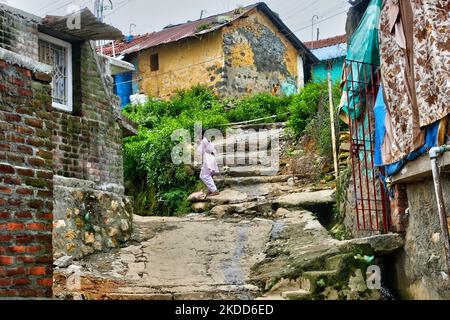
x=182, y=65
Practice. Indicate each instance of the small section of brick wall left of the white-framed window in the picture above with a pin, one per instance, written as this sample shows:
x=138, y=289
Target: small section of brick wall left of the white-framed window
x=18, y=31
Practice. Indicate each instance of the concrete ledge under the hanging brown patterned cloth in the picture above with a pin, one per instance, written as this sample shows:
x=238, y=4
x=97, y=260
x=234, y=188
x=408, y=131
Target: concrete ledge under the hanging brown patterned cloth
x=420, y=169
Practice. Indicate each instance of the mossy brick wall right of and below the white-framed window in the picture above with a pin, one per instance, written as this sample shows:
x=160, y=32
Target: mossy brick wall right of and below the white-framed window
x=88, y=143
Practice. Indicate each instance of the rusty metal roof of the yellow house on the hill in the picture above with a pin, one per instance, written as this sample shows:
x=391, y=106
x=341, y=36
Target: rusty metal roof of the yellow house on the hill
x=201, y=27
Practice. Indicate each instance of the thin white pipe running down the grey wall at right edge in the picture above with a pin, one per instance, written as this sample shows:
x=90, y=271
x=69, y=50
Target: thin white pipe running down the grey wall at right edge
x=434, y=153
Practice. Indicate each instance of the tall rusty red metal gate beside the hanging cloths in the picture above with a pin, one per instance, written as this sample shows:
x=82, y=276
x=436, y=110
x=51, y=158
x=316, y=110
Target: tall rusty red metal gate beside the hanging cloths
x=372, y=205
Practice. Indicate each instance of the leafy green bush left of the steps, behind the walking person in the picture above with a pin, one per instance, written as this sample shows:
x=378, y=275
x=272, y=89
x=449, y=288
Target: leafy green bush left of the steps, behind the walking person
x=159, y=186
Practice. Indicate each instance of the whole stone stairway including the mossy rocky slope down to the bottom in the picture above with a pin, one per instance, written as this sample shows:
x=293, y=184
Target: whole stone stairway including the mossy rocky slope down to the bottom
x=251, y=188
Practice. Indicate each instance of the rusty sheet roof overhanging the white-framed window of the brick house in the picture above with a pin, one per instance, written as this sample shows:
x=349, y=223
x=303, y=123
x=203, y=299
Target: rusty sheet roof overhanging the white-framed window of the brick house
x=91, y=28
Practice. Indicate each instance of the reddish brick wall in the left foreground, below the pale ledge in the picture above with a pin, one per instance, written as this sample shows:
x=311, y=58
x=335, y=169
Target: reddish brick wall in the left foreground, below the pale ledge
x=26, y=183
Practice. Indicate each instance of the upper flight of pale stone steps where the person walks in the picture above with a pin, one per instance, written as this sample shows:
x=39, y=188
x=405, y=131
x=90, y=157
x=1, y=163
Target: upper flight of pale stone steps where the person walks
x=250, y=182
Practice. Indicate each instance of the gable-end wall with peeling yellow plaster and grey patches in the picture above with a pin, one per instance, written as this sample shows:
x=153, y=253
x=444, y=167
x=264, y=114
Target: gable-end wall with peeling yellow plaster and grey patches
x=257, y=56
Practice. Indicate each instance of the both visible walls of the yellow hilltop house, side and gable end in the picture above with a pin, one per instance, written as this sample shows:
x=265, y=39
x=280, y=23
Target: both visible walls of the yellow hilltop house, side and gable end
x=248, y=57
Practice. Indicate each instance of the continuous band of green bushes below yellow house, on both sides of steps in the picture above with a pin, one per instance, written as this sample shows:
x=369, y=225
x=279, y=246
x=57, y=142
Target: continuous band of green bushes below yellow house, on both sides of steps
x=158, y=186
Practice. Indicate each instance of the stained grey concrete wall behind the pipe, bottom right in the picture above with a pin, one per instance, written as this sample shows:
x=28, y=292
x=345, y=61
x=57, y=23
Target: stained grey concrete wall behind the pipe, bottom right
x=421, y=266
